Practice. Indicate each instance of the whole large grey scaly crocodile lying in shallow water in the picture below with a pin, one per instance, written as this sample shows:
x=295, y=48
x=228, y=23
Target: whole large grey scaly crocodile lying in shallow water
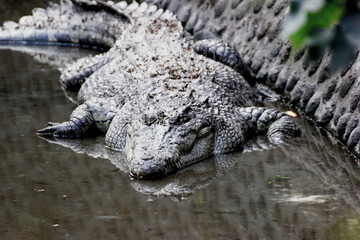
x=164, y=99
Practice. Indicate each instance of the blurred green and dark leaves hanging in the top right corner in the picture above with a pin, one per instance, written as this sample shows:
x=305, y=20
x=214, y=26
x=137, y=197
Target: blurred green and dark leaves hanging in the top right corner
x=325, y=24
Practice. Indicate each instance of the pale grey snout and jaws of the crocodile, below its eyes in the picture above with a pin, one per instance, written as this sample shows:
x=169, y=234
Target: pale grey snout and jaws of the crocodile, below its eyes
x=151, y=153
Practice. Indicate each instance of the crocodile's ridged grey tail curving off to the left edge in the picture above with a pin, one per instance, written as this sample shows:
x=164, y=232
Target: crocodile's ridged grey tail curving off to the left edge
x=94, y=24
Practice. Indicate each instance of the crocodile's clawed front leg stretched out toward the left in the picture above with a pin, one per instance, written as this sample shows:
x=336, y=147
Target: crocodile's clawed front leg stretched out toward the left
x=78, y=124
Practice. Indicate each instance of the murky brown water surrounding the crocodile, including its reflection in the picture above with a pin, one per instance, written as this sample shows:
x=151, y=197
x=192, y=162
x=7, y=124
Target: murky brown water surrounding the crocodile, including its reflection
x=49, y=191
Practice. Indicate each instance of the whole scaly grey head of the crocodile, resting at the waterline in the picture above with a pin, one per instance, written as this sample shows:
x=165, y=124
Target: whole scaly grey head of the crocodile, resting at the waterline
x=157, y=143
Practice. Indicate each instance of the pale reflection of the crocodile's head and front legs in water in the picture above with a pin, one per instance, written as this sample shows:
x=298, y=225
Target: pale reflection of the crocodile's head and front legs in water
x=177, y=186
